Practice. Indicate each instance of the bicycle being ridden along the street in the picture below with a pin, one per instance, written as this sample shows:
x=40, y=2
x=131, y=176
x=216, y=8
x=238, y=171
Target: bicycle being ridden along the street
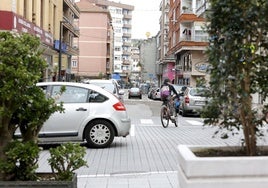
x=165, y=113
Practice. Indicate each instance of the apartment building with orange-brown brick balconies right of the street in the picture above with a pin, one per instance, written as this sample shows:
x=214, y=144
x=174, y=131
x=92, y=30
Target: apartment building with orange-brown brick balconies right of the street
x=187, y=42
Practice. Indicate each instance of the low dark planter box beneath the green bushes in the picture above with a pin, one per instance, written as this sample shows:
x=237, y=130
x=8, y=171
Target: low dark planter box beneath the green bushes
x=41, y=184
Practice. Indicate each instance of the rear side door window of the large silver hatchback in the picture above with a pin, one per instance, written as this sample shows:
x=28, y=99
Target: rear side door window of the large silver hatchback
x=70, y=95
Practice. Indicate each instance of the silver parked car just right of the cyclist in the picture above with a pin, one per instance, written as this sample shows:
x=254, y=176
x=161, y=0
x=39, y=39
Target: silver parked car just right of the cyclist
x=193, y=101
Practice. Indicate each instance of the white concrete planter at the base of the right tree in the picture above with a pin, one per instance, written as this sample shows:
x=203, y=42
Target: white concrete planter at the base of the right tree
x=220, y=172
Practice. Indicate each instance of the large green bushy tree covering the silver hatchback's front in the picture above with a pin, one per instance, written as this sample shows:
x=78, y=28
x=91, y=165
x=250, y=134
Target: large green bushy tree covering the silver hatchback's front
x=23, y=105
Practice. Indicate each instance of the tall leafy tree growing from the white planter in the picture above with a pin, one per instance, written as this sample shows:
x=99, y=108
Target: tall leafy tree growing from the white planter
x=237, y=53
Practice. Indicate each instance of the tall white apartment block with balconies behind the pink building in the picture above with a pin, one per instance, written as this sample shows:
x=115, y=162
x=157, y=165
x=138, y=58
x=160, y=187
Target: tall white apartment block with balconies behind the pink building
x=122, y=23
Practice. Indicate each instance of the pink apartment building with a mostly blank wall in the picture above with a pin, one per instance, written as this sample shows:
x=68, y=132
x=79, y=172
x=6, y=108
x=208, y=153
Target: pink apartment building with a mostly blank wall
x=95, y=42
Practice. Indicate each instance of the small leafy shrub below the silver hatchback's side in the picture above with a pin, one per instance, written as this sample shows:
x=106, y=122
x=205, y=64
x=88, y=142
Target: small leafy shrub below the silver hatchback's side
x=65, y=159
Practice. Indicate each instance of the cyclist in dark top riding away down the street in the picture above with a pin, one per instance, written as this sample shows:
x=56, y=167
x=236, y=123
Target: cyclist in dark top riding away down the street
x=166, y=90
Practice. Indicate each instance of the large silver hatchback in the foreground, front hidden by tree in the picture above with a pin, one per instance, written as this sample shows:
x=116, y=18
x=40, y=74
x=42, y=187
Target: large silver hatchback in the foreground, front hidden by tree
x=91, y=114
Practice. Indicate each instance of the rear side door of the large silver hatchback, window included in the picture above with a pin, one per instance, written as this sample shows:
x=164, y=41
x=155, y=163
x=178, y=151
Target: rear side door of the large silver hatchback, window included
x=76, y=110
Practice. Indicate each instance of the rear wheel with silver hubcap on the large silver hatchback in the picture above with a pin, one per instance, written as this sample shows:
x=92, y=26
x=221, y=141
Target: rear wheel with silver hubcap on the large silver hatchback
x=99, y=134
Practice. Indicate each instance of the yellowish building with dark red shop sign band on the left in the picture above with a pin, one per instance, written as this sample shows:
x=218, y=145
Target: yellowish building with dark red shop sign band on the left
x=44, y=19
